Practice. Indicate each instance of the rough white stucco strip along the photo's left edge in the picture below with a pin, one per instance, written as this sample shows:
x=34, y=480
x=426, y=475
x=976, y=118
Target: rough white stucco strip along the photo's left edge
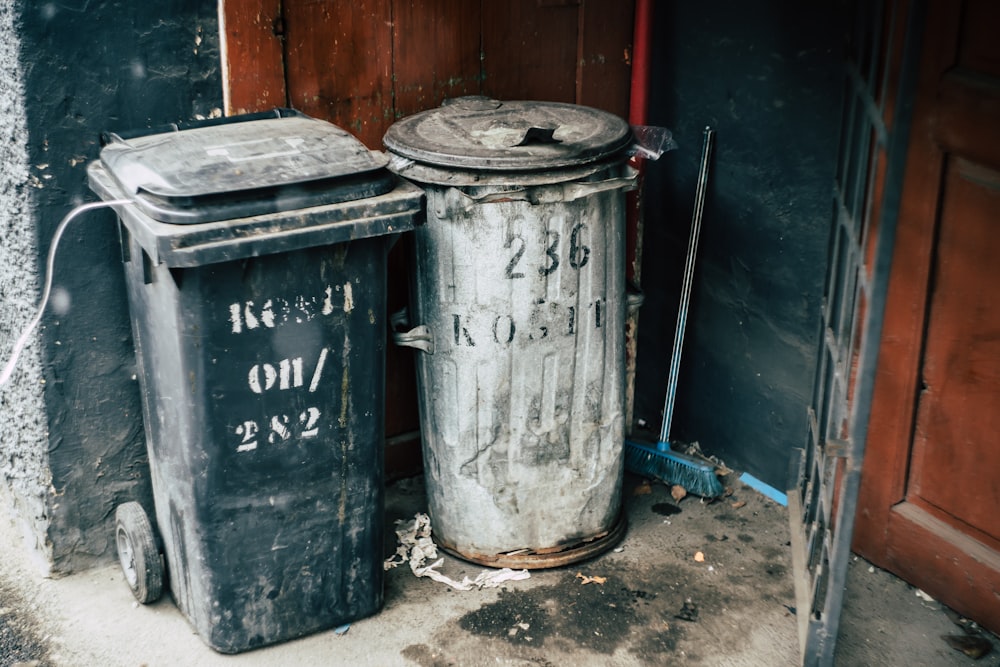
x=24, y=474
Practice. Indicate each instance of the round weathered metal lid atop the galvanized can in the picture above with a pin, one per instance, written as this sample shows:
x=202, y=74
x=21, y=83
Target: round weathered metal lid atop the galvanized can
x=487, y=134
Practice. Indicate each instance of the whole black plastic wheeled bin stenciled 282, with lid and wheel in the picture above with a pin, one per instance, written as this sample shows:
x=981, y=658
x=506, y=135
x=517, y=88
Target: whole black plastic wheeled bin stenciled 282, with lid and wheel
x=255, y=257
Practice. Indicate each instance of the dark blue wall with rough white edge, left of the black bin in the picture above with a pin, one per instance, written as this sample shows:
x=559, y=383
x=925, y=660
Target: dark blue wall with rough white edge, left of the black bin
x=86, y=66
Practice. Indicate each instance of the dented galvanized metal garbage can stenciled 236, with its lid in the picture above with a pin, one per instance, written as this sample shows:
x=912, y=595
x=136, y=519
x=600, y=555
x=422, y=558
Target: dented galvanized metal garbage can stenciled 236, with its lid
x=518, y=306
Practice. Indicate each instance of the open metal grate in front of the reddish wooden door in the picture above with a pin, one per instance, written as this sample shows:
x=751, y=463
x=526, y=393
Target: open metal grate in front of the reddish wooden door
x=882, y=58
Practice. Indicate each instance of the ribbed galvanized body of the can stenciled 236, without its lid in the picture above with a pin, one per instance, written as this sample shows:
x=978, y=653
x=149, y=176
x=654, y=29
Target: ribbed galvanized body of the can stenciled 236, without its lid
x=522, y=400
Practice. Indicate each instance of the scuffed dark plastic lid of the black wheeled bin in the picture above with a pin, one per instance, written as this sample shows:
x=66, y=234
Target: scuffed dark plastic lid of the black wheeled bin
x=242, y=166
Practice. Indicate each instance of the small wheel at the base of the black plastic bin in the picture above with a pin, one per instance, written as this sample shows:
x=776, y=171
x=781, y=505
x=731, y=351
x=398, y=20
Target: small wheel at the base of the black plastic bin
x=137, y=552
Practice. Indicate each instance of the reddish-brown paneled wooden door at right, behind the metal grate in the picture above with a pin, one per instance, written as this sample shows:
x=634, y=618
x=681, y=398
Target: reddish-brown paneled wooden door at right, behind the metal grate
x=929, y=506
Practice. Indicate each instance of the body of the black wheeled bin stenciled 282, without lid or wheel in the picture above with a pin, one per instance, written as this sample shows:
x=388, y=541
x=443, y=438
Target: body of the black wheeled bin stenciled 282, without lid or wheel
x=260, y=343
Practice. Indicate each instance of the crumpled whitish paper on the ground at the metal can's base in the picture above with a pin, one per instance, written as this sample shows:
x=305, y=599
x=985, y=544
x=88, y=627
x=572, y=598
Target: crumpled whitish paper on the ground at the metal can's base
x=417, y=547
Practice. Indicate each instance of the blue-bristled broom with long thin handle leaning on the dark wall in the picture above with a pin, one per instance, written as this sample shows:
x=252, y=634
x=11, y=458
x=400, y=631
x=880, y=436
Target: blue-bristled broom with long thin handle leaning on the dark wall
x=660, y=461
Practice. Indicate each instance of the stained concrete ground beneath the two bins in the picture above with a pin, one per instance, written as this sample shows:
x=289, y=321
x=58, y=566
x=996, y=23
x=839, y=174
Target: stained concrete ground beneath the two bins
x=651, y=601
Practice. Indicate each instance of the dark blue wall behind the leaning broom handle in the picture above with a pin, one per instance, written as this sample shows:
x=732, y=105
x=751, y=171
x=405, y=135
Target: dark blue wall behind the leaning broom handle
x=766, y=76
